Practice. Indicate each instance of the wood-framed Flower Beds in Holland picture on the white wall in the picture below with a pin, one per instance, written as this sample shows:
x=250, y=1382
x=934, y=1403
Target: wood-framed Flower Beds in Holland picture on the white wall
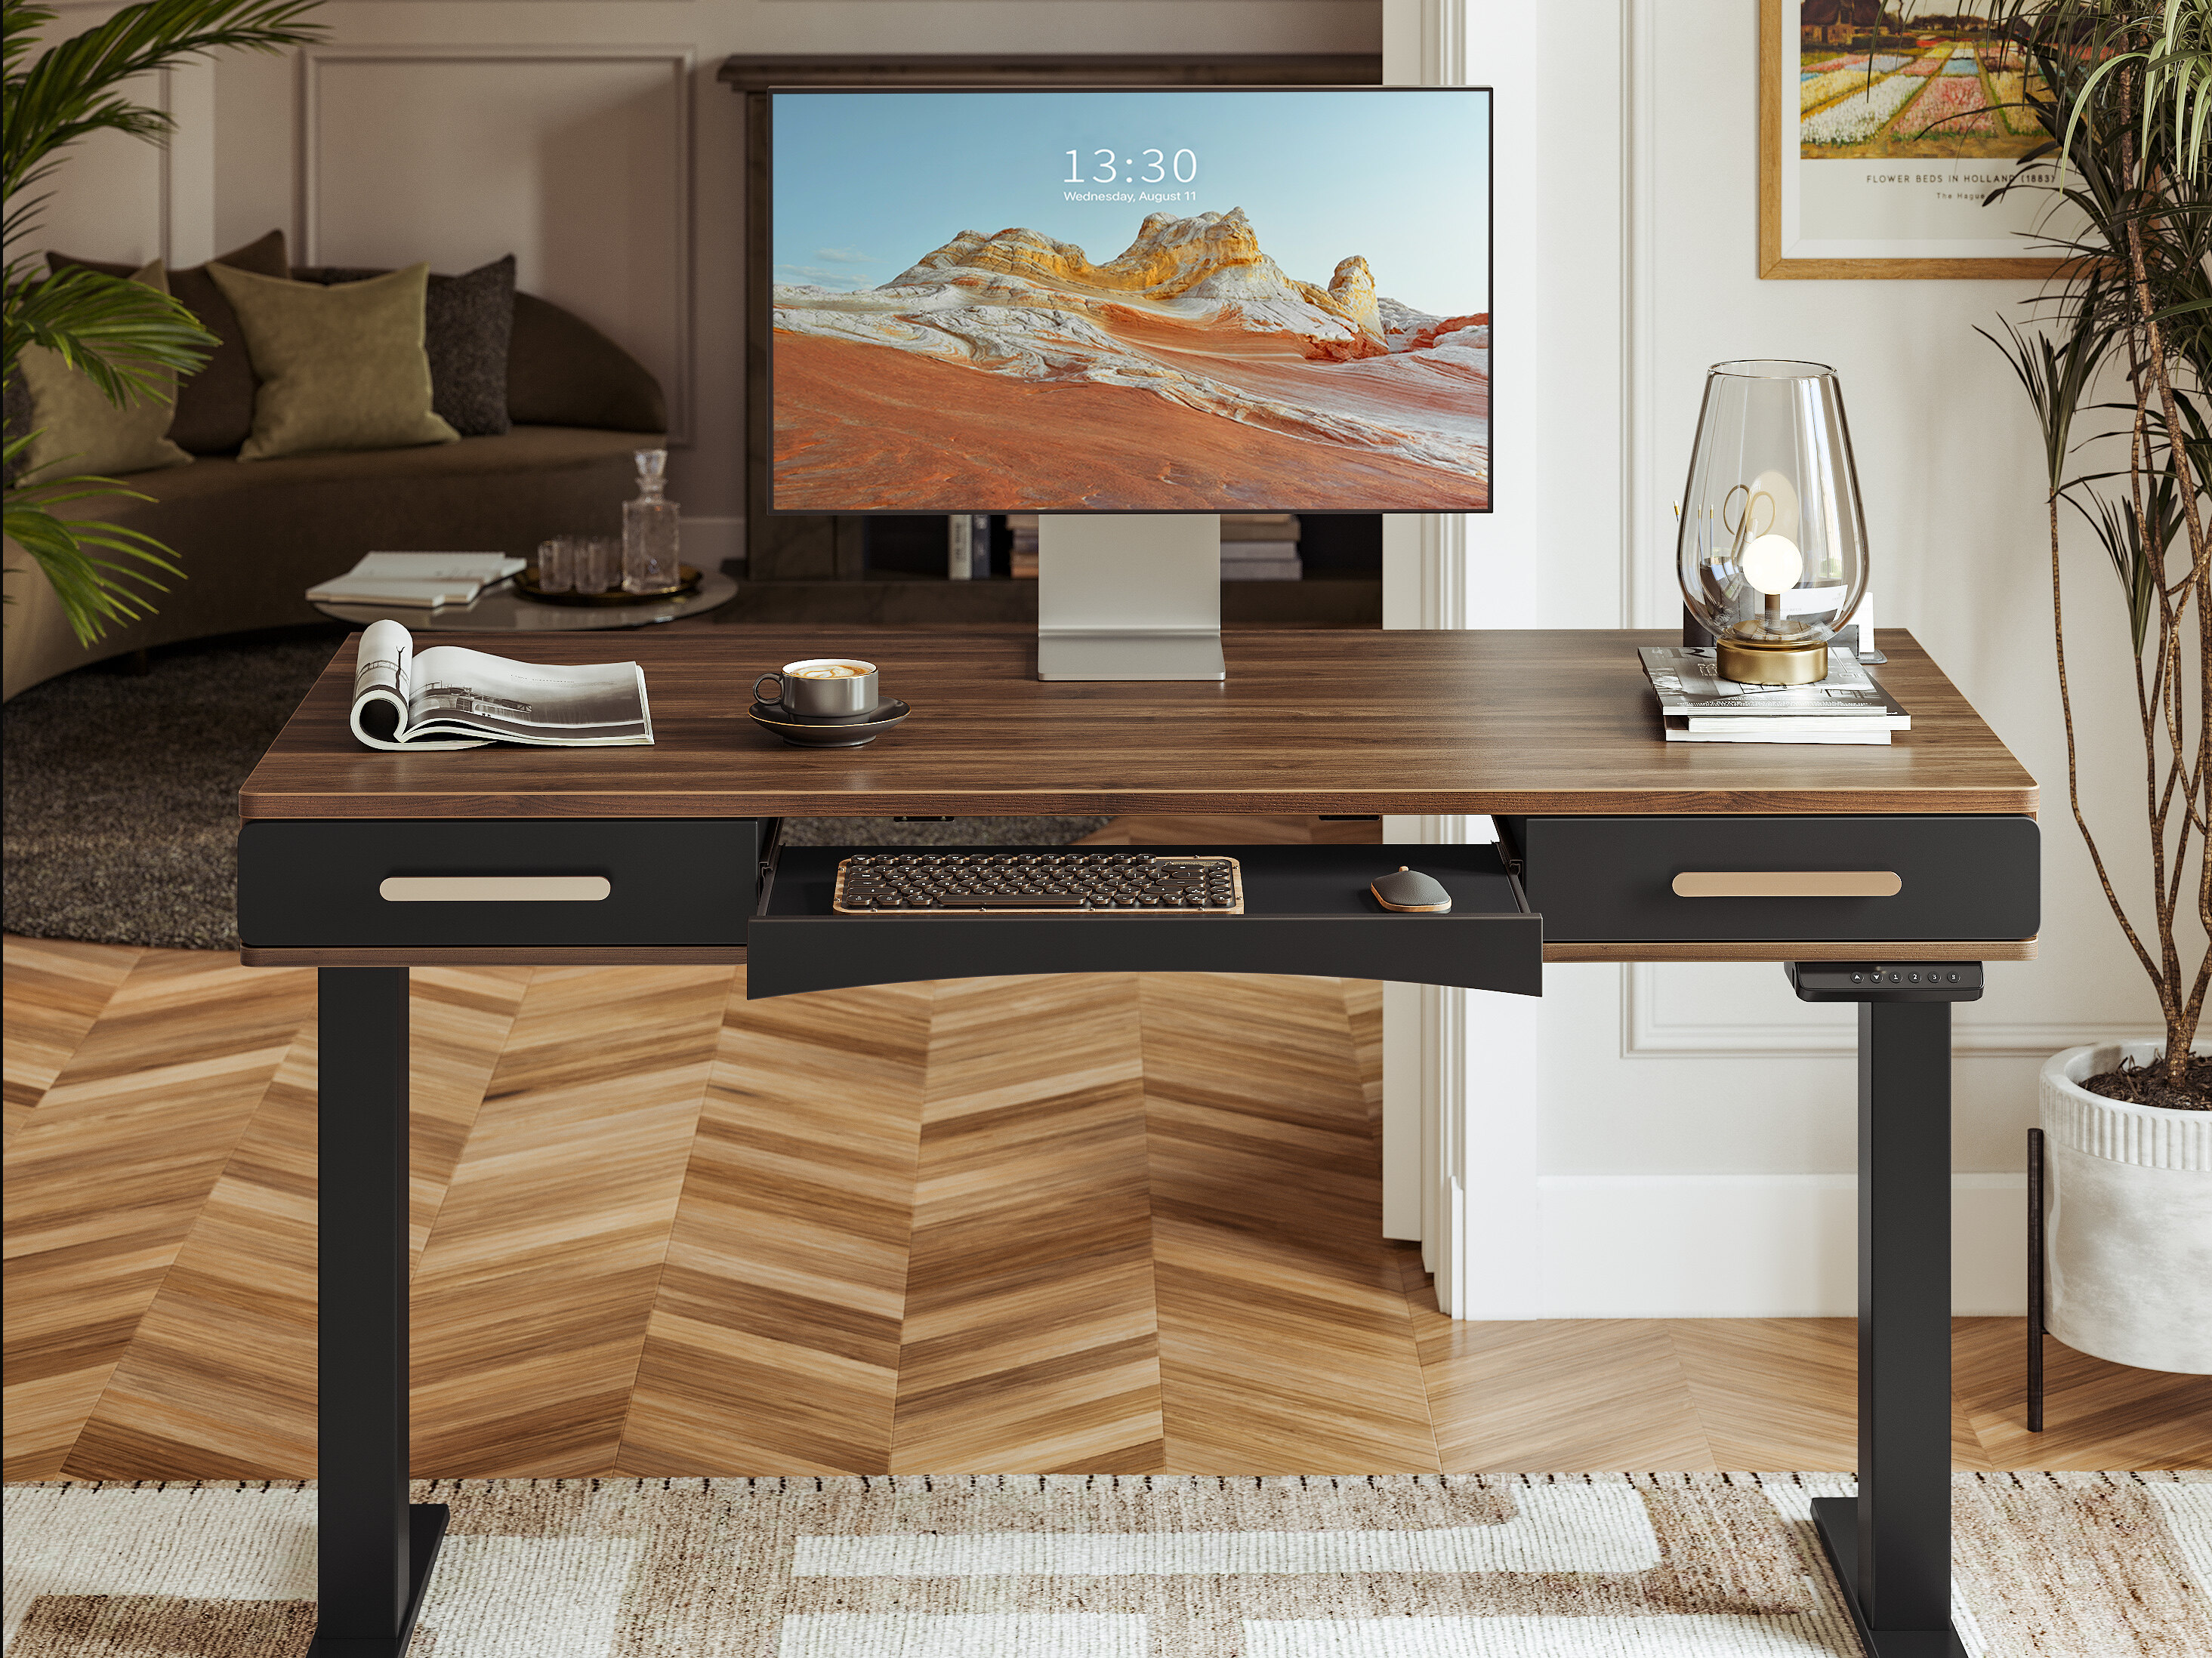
x=1881, y=138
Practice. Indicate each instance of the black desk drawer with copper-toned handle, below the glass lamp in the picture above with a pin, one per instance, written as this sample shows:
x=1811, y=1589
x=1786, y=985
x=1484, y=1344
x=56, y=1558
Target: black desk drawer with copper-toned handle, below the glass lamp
x=1656, y=879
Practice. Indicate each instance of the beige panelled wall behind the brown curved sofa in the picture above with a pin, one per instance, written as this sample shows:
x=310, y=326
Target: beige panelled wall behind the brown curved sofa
x=589, y=140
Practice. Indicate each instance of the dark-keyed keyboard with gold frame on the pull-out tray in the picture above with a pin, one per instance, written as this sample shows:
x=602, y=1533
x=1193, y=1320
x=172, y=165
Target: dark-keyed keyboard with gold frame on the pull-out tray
x=1036, y=883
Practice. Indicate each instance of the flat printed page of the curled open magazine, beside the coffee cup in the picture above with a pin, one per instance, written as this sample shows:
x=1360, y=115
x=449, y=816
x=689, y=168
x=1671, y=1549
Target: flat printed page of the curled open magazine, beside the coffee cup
x=466, y=693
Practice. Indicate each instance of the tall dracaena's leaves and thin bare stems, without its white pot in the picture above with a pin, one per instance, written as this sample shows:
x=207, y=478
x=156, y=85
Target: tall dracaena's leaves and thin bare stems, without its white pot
x=2118, y=366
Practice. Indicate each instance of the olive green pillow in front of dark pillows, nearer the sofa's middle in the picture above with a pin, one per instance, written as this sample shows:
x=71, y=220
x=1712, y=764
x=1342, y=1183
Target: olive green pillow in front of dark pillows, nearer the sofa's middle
x=340, y=368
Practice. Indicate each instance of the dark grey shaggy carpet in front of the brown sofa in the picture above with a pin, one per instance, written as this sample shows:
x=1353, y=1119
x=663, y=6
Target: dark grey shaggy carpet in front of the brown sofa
x=121, y=795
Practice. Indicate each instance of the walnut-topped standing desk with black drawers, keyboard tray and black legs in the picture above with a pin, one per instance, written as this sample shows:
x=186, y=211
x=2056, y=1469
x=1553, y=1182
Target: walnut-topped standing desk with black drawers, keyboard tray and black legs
x=1554, y=733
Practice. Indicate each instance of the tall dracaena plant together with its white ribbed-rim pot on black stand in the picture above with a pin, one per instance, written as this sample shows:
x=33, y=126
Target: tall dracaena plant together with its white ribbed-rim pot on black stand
x=2118, y=364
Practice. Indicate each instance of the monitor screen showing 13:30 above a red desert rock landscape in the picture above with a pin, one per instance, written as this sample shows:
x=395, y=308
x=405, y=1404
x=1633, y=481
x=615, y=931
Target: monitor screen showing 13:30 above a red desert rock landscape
x=1131, y=302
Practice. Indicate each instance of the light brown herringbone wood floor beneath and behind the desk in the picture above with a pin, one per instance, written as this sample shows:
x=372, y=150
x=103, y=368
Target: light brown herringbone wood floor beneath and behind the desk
x=1081, y=1224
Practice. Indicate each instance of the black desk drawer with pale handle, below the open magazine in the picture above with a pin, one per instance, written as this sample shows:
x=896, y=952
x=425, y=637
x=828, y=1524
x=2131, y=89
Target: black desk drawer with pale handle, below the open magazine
x=525, y=883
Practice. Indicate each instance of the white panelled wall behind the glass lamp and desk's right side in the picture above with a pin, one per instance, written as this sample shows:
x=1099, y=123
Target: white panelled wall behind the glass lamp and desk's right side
x=1693, y=1126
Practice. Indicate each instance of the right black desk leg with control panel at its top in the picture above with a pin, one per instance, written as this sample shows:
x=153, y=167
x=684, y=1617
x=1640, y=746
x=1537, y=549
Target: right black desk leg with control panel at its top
x=1892, y=1544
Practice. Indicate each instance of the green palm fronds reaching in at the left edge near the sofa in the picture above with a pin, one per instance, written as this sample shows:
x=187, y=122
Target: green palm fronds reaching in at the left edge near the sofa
x=127, y=339
